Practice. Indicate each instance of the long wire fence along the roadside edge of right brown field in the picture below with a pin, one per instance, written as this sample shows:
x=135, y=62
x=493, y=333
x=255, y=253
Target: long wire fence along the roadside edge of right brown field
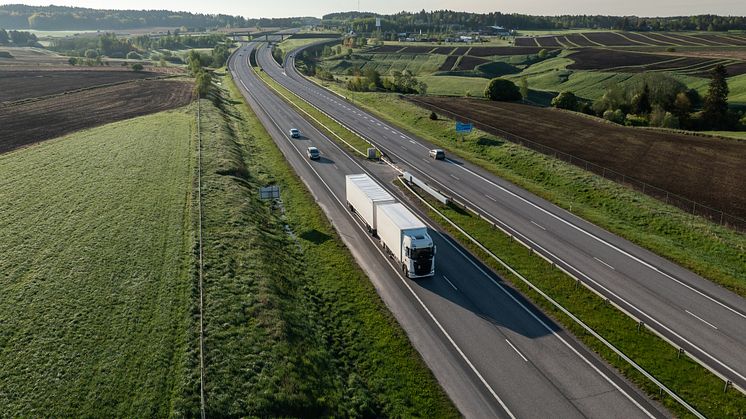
x=686, y=204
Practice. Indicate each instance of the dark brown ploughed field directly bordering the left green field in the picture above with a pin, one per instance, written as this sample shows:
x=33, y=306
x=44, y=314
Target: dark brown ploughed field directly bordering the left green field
x=30, y=122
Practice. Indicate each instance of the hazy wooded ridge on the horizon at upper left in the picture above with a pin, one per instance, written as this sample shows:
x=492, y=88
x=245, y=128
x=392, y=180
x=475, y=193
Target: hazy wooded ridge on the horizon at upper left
x=20, y=16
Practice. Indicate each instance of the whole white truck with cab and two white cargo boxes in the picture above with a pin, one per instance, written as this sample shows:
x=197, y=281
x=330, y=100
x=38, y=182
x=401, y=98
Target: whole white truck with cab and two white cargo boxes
x=401, y=233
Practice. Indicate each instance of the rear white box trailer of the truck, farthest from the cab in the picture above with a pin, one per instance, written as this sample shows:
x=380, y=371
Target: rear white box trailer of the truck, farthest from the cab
x=363, y=195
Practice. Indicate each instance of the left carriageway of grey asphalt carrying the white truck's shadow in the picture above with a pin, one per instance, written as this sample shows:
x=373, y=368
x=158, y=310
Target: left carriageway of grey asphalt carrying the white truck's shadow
x=493, y=352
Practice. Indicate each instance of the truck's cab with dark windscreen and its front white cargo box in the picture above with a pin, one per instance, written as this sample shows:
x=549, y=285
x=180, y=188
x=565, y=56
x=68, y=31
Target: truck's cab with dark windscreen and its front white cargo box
x=405, y=237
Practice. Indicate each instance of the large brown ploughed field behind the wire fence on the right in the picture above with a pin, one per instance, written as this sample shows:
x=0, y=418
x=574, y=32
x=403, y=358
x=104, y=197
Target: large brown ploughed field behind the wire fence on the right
x=704, y=169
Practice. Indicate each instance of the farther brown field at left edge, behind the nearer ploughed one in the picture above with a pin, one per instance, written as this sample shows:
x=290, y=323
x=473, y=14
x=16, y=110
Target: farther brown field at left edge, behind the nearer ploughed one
x=18, y=85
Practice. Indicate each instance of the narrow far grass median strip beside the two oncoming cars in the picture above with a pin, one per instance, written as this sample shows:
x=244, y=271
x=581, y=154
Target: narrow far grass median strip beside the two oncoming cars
x=339, y=134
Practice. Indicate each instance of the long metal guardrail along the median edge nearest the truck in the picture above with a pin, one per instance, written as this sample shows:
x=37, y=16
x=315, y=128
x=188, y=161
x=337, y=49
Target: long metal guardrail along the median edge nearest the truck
x=582, y=324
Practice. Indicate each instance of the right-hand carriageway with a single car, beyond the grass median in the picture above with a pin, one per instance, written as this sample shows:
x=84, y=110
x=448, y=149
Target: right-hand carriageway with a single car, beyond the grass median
x=704, y=319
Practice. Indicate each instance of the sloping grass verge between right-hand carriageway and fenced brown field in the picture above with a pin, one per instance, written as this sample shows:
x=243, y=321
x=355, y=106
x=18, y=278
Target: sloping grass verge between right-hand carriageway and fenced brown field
x=710, y=250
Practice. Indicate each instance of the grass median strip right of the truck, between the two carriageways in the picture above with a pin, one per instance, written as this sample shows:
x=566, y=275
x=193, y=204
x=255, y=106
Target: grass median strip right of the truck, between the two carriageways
x=685, y=377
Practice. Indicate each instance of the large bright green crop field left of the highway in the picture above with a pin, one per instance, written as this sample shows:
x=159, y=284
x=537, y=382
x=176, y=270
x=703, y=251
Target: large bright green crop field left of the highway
x=95, y=290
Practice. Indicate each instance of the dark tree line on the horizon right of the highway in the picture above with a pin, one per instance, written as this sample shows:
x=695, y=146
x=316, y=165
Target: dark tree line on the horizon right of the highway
x=444, y=21
